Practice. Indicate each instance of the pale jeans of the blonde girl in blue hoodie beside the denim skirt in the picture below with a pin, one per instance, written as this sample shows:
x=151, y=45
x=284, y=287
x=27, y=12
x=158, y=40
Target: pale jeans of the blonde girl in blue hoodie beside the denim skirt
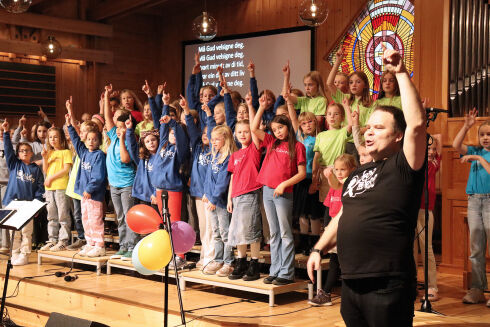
x=220, y=224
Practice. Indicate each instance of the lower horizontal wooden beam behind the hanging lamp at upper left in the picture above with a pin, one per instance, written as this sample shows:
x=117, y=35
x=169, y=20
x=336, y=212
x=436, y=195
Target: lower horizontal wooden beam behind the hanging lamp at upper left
x=30, y=48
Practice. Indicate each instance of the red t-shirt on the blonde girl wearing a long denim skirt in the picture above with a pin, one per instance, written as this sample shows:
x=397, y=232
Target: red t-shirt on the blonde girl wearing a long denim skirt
x=244, y=164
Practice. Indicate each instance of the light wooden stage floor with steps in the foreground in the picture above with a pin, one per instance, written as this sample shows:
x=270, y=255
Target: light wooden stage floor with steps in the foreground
x=124, y=300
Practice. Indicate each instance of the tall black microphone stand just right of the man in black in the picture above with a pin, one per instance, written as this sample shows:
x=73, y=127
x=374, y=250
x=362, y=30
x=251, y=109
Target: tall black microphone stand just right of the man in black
x=426, y=305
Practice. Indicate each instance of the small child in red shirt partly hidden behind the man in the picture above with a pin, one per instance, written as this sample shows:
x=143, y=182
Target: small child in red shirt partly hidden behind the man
x=336, y=176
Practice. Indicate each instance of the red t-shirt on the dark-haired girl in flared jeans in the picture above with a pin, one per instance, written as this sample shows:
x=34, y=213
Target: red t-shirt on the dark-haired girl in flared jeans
x=277, y=166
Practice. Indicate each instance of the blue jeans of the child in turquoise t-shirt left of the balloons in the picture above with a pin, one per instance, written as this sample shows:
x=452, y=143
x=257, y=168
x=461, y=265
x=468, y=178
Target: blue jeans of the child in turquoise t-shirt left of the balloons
x=123, y=201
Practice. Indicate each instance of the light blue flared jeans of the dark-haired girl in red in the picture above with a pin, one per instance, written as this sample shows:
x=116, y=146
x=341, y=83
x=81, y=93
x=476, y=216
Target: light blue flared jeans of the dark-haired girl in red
x=279, y=211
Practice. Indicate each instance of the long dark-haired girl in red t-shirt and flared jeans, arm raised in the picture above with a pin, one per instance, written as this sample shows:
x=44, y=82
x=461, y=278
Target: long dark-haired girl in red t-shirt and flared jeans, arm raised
x=283, y=167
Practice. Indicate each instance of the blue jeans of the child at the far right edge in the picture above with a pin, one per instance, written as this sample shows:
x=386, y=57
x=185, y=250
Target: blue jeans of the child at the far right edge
x=479, y=226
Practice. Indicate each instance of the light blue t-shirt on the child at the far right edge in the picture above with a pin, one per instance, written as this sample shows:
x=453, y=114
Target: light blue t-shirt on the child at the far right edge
x=479, y=179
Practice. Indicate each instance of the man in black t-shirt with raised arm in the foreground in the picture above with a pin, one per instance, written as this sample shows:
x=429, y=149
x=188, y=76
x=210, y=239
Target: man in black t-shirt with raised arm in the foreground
x=374, y=231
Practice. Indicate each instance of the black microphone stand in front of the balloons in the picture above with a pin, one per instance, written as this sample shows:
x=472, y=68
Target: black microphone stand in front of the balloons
x=168, y=227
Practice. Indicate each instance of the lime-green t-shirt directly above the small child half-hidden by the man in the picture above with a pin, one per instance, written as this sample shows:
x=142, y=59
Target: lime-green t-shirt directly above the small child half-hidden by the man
x=330, y=144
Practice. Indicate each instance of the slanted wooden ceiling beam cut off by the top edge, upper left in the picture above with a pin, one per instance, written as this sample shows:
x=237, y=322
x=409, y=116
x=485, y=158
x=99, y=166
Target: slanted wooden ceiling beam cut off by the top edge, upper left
x=116, y=8
